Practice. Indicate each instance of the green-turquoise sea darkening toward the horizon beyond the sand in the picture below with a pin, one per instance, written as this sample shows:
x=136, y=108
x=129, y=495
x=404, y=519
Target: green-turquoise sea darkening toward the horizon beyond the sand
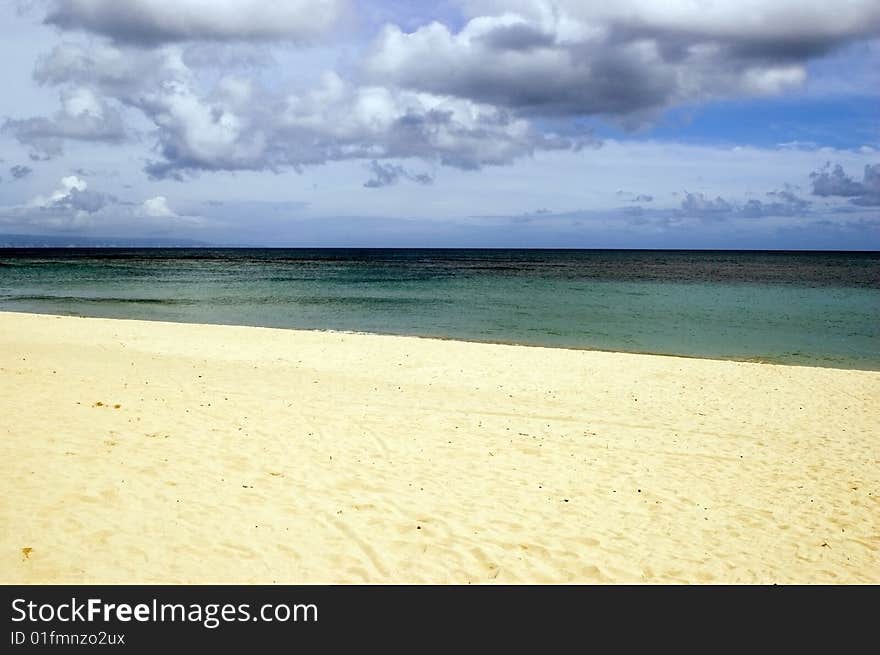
x=791, y=307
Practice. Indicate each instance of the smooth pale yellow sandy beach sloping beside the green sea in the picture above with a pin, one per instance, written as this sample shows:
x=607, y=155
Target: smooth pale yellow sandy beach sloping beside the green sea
x=141, y=452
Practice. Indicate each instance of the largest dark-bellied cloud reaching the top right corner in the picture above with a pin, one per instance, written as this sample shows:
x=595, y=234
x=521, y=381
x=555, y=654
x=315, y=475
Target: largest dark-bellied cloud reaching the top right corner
x=626, y=59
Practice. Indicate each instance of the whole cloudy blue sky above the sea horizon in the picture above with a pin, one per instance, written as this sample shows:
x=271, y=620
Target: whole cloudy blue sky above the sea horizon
x=532, y=123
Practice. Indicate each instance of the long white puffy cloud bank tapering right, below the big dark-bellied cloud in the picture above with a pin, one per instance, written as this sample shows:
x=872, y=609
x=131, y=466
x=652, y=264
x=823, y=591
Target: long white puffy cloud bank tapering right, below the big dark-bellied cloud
x=250, y=128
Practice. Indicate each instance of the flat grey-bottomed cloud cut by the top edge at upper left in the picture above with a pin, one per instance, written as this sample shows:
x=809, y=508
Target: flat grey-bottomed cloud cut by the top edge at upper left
x=150, y=22
